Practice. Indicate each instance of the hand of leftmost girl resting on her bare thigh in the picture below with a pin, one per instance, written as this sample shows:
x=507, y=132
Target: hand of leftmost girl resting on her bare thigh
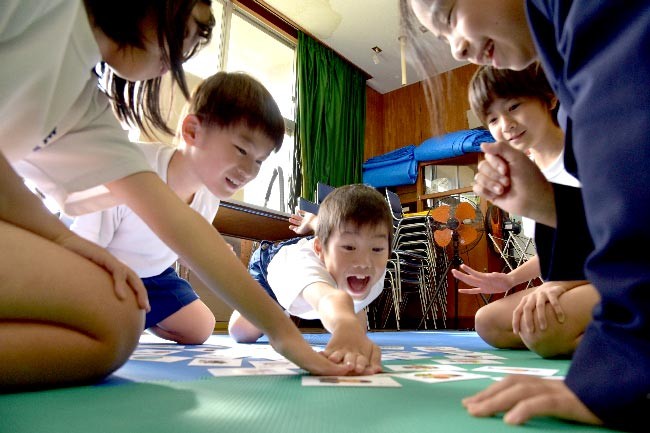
x=124, y=278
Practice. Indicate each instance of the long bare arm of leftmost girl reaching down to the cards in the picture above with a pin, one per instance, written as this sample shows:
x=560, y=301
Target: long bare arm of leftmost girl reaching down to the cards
x=203, y=249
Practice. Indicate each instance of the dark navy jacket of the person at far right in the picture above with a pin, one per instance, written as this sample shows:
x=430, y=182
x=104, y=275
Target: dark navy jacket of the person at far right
x=596, y=54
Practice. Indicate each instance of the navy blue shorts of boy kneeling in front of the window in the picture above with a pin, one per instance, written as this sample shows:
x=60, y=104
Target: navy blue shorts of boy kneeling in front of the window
x=168, y=293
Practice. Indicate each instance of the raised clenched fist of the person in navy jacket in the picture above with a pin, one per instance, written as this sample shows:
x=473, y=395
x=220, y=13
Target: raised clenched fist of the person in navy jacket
x=514, y=183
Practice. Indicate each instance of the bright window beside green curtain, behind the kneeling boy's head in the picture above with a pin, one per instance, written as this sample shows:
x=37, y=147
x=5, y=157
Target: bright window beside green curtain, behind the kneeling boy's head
x=240, y=42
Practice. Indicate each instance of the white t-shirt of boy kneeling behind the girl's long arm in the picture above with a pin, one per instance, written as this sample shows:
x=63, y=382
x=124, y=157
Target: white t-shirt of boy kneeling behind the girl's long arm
x=127, y=237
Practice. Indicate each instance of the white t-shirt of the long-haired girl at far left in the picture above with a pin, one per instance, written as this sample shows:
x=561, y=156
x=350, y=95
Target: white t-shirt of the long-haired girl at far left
x=56, y=127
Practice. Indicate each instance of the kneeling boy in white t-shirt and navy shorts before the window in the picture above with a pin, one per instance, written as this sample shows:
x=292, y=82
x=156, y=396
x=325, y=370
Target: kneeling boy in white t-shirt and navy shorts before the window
x=233, y=125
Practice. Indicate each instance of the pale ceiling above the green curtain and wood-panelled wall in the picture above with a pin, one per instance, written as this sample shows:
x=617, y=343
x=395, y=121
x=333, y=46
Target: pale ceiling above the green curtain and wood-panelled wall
x=353, y=27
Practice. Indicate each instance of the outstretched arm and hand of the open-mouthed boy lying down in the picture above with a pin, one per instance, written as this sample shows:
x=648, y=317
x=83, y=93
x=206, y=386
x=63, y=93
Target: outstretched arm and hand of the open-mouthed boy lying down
x=349, y=343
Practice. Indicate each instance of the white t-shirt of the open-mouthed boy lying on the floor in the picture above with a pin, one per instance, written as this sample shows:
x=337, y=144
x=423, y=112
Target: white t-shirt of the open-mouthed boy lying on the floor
x=297, y=266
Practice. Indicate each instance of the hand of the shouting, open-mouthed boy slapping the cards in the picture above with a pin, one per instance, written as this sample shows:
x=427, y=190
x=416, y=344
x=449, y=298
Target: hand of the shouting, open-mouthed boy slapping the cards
x=352, y=347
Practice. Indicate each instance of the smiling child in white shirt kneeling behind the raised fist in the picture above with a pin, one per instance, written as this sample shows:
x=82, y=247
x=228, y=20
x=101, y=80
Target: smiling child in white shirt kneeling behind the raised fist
x=519, y=107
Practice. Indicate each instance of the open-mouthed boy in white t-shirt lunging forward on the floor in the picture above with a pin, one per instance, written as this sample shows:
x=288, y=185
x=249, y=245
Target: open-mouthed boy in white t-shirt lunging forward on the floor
x=332, y=276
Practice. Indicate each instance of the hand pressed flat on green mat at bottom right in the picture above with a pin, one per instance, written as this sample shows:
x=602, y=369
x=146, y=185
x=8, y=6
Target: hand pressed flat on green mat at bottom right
x=525, y=397
